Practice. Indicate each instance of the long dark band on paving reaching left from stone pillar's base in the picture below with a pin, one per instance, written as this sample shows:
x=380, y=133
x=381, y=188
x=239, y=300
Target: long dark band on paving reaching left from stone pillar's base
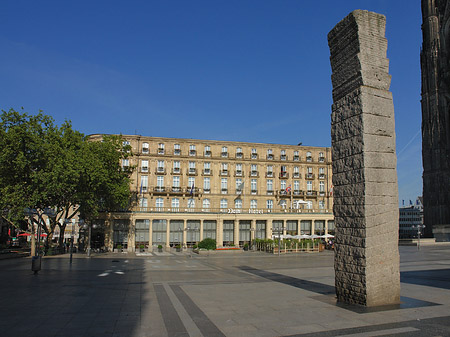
x=316, y=287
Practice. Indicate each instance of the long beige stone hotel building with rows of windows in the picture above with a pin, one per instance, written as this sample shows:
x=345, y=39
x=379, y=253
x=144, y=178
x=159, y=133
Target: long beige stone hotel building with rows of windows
x=187, y=190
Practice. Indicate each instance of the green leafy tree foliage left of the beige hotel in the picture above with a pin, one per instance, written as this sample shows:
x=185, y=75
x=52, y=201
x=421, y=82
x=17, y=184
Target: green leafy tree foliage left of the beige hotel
x=51, y=169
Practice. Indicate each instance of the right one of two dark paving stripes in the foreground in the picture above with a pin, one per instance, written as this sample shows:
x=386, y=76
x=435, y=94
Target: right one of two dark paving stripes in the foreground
x=198, y=316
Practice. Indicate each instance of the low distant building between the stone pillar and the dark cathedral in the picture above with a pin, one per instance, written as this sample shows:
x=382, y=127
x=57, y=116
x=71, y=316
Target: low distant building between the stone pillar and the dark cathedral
x=411, y=219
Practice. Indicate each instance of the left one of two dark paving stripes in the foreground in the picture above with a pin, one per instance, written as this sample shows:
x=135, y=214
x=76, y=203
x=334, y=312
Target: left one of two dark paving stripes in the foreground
x=172, y=321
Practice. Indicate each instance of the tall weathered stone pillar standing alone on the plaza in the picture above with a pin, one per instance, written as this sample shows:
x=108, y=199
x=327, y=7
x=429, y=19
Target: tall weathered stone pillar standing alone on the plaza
x=364, y=163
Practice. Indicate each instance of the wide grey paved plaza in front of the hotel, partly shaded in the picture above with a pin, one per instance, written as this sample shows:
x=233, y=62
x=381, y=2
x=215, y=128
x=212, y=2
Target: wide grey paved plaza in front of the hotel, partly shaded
x=248, y=294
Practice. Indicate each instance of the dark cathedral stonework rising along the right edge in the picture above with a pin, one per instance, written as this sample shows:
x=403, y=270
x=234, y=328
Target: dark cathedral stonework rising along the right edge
x=434, y=60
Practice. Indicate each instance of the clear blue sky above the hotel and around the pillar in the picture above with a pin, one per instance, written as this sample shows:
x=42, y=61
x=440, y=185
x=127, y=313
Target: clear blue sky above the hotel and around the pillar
x=242, y=70
